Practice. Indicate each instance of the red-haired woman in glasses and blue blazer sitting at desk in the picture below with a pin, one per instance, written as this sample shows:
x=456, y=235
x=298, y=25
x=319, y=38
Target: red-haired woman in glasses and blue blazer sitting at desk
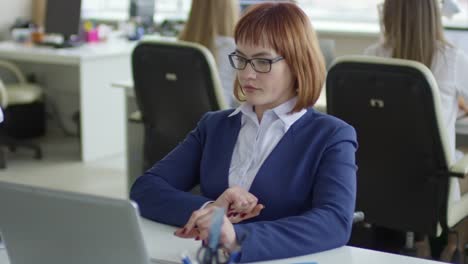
x=284, y=173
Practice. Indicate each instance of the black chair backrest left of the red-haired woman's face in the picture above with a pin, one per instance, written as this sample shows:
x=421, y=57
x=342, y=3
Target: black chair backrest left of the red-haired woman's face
x=175, y=82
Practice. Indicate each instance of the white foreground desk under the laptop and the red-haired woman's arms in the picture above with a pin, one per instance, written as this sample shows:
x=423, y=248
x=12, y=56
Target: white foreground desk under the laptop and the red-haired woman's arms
x=162, y=244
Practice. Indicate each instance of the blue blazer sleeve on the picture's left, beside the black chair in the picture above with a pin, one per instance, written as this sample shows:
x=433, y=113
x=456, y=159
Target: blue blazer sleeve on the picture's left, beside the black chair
x=169, y=181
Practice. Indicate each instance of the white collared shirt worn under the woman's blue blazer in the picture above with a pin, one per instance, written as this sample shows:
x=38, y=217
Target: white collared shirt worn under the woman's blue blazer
x=256, y=140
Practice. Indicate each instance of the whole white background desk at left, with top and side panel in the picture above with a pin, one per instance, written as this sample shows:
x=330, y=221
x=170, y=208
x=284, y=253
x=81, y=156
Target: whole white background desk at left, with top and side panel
x=79, y=79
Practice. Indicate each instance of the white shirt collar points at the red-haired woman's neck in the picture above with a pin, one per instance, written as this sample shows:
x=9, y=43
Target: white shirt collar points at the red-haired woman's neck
x=282, y=111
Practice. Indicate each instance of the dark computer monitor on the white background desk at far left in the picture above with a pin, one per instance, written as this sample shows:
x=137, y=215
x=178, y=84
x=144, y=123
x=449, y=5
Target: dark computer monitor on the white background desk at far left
x=63, y=17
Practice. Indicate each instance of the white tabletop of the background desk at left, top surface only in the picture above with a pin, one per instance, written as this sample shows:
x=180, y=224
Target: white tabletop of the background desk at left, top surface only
x=73, y=56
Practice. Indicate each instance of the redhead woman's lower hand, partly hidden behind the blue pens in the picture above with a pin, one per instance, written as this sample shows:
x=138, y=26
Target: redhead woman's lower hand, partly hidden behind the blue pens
x=198, y=227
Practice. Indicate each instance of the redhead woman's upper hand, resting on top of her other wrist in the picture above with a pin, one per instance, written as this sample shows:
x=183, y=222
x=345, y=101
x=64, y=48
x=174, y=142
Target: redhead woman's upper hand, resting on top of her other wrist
x=238, y=203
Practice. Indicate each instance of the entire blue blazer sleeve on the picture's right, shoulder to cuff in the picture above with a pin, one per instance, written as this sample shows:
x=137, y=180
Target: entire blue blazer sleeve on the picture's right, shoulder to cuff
x=326, y=225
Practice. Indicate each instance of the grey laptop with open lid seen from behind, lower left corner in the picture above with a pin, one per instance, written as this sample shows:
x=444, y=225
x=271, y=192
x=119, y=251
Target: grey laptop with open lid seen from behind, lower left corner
x=40, y=225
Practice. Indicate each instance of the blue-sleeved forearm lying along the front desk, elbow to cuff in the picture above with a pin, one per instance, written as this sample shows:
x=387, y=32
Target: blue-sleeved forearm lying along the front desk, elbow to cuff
x=314, y=231
